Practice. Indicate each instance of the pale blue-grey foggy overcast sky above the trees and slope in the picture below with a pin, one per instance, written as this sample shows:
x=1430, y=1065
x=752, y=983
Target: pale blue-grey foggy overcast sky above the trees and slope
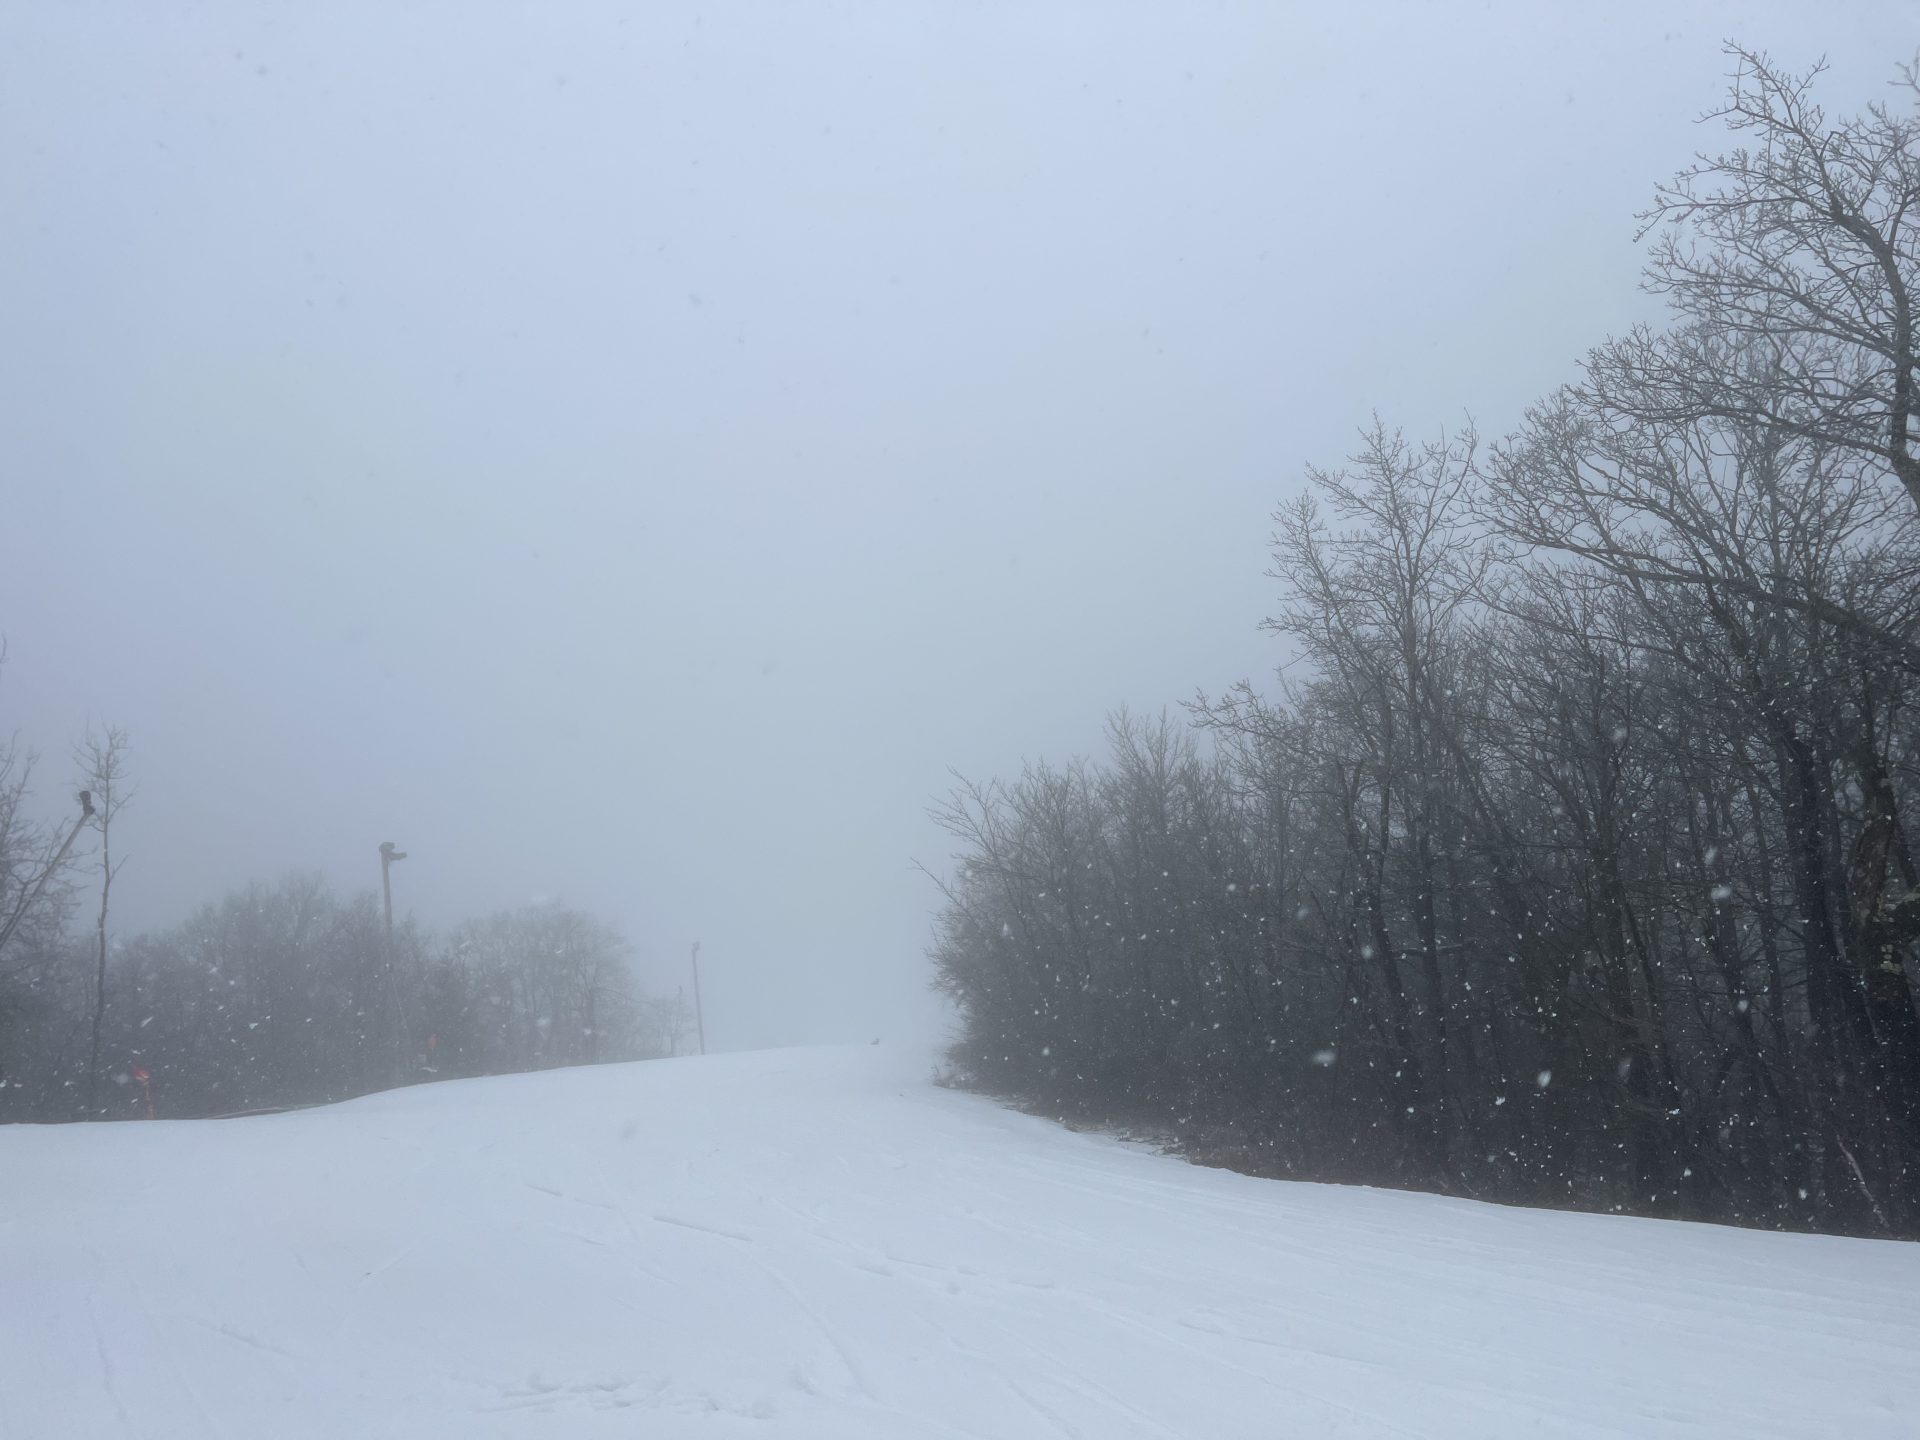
x=631, y=454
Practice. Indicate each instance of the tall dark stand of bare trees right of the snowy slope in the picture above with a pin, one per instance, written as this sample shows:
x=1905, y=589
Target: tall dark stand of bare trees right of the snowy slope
x=1573, y=859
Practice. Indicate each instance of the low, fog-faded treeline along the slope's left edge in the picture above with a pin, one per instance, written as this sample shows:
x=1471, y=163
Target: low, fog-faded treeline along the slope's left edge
x=283, y=994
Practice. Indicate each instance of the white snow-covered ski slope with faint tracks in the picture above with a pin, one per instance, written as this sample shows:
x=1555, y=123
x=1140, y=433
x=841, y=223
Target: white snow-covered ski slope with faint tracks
x=819, y=1243
